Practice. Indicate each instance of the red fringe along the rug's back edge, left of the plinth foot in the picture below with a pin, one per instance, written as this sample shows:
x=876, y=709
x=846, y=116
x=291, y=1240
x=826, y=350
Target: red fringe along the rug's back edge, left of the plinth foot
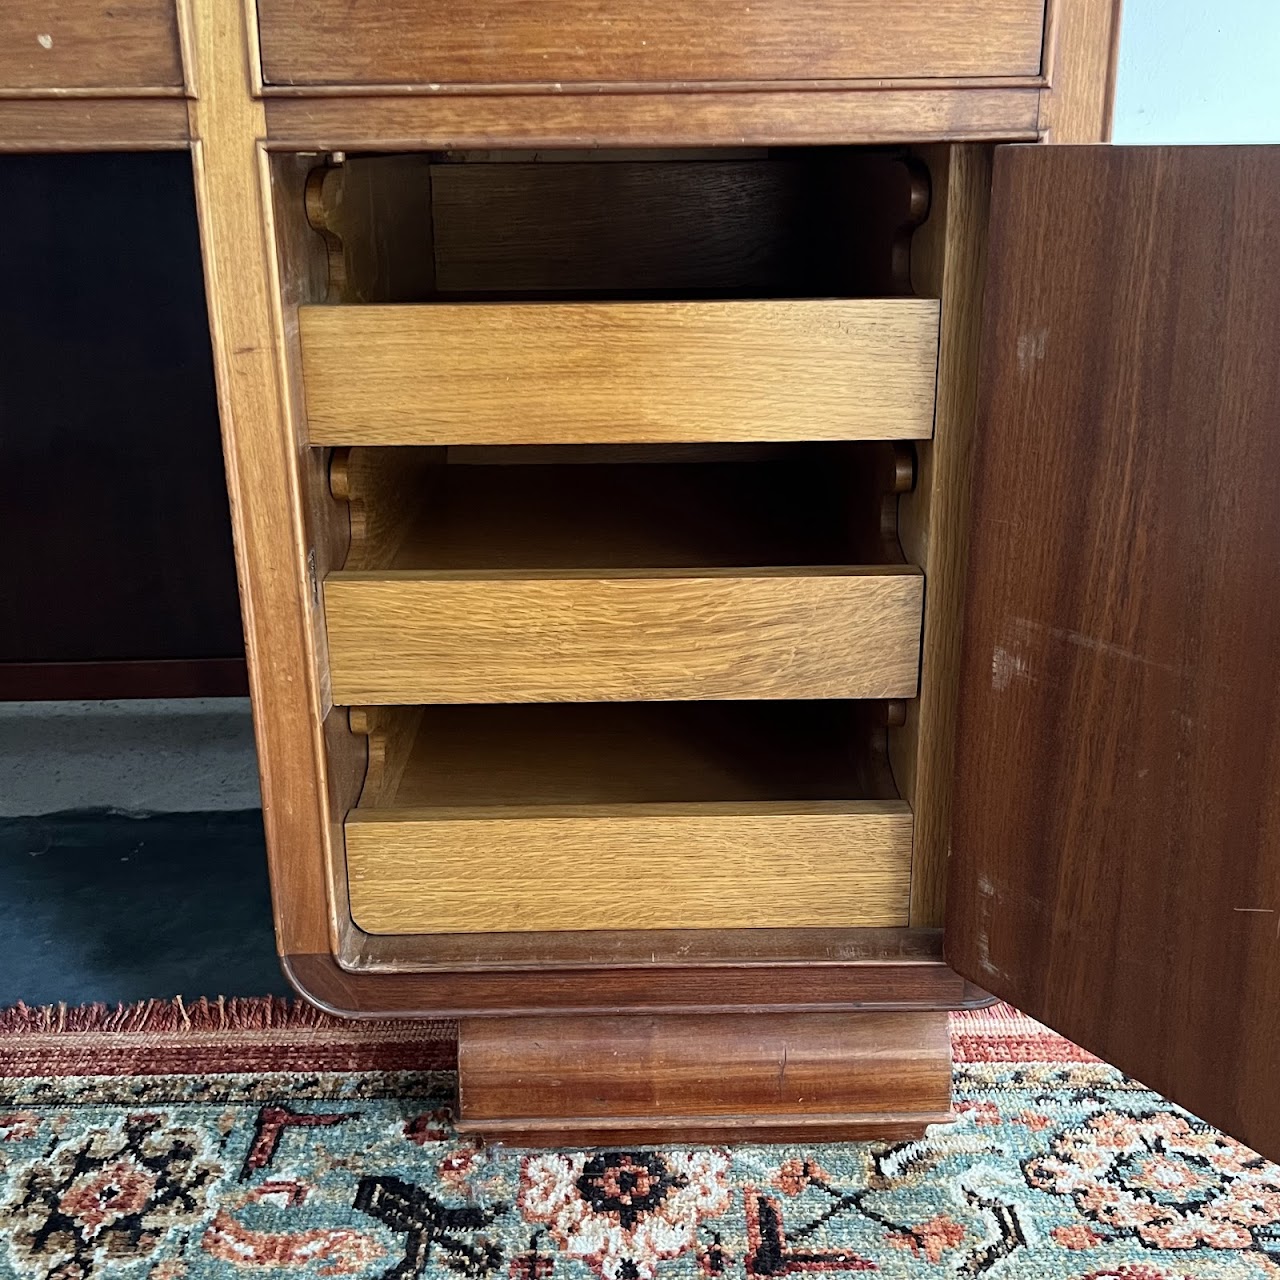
x=221, y=1014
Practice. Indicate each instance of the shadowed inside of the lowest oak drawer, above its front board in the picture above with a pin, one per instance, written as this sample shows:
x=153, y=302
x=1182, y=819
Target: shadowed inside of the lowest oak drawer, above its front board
x=627, y=753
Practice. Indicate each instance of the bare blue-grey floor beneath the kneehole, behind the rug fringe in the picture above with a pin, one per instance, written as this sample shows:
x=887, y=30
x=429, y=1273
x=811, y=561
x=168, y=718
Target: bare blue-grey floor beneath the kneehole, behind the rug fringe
x=132, y=863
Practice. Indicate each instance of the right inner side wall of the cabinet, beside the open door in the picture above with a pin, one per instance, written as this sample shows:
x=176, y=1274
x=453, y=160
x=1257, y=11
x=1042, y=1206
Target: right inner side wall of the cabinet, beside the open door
x=949, y=262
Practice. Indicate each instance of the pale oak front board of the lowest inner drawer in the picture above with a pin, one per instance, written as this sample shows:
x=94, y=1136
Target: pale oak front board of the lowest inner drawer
x=630, y=867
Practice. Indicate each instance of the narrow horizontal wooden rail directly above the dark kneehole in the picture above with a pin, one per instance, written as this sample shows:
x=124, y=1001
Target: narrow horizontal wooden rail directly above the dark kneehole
x=94, y=125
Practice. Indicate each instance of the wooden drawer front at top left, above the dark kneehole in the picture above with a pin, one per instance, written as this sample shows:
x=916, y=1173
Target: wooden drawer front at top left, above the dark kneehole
x=89, y=45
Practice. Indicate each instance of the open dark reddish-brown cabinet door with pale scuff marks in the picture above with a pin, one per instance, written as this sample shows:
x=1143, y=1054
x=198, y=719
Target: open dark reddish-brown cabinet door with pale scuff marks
x=1116, y=862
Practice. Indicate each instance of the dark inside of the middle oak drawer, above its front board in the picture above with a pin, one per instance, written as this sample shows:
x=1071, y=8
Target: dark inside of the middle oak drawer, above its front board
x=547, y=509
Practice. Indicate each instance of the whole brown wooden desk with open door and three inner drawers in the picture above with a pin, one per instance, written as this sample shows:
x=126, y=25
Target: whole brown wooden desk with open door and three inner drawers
x=602, y=406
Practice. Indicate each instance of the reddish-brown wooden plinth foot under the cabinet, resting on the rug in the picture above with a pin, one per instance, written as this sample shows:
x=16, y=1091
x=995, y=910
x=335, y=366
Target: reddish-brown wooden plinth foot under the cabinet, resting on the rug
x=730, y=1077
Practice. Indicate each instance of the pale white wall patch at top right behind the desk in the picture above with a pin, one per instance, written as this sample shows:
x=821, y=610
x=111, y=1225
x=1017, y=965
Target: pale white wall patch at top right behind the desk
x=1199, y=71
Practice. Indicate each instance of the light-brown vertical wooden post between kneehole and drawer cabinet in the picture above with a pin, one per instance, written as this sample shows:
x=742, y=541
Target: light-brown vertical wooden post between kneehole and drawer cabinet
x=264, y=467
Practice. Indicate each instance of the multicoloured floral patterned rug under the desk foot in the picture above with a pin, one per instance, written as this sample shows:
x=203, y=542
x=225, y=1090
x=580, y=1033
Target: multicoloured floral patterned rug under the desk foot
x=1058, y=1168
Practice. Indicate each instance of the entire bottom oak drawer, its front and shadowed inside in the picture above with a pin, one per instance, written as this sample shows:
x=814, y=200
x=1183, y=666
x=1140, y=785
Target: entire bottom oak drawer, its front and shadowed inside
x=628, y=817
